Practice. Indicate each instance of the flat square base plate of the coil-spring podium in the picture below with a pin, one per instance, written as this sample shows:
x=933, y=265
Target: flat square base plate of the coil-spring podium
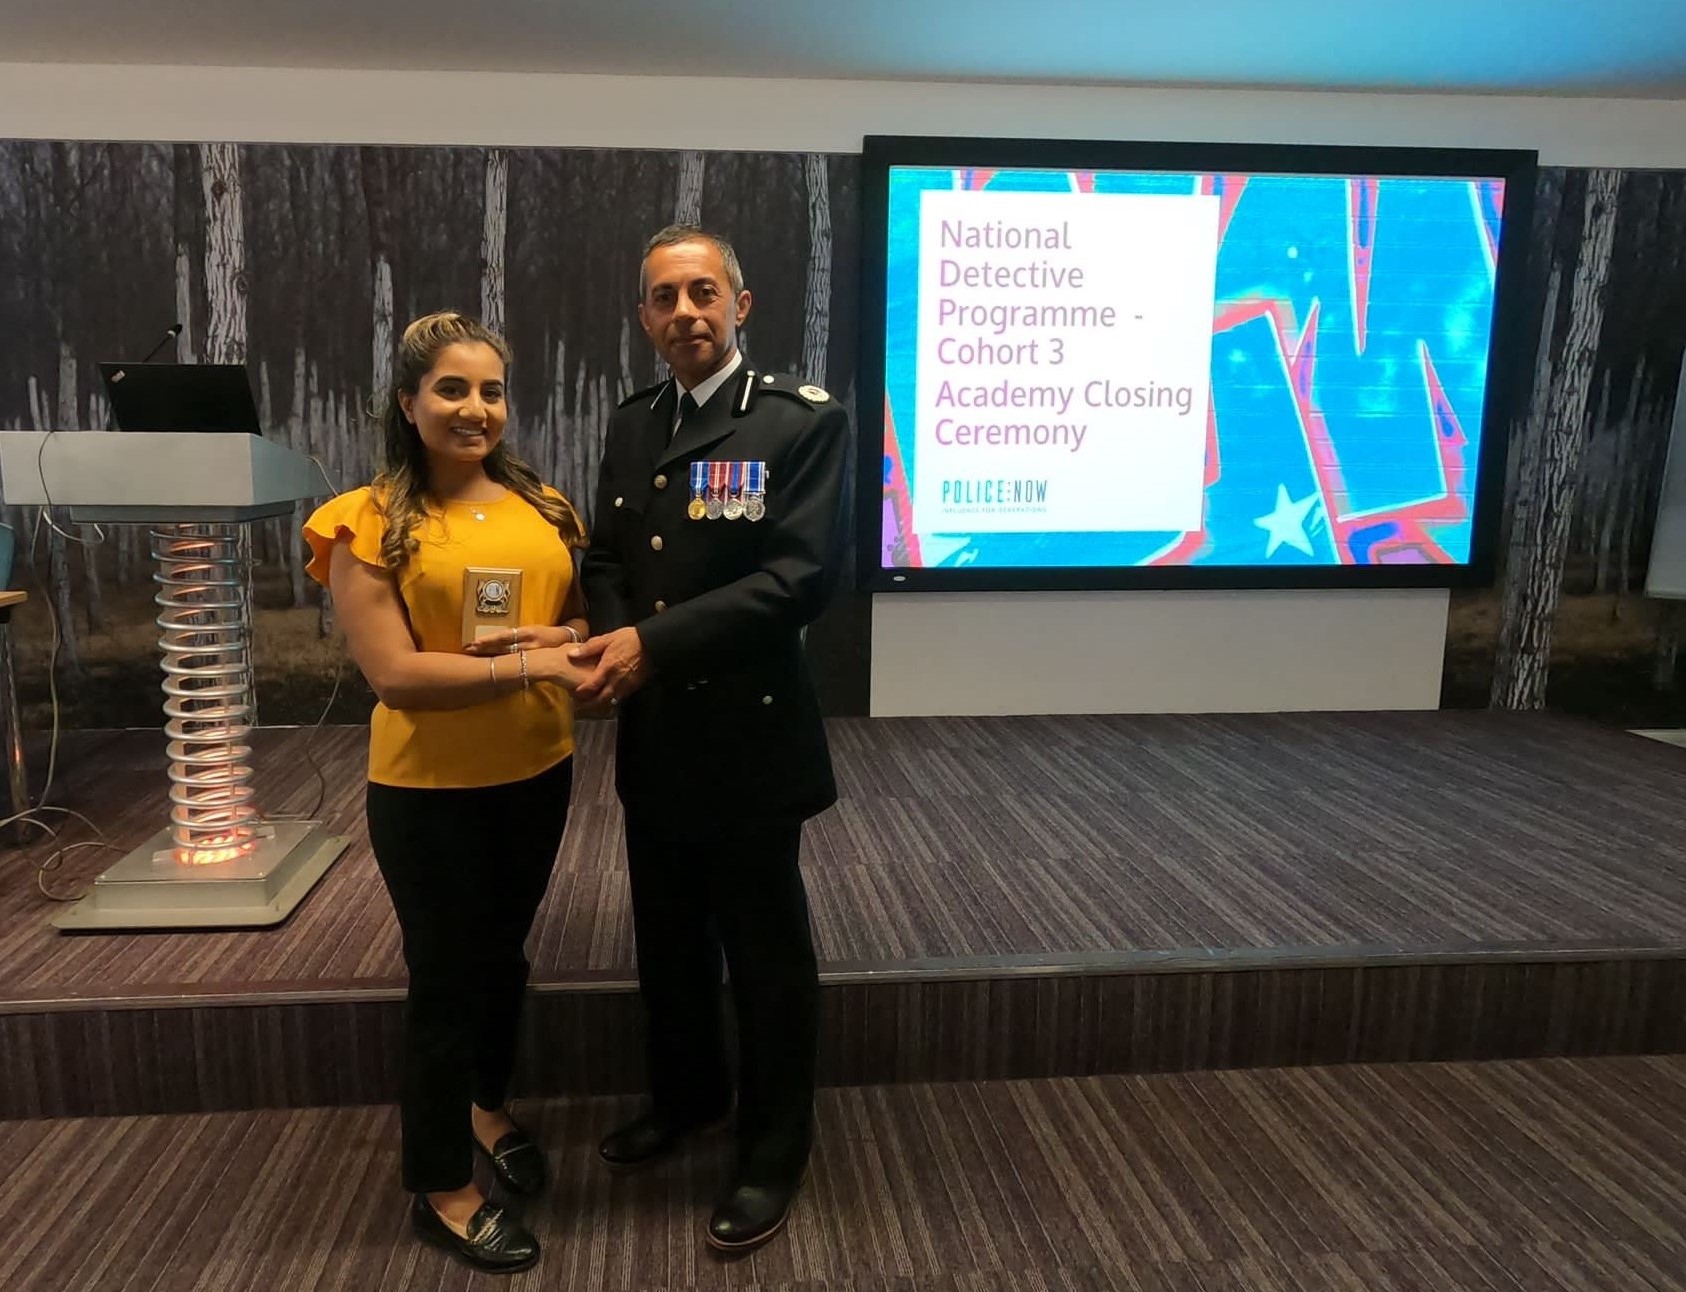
x=151, y=890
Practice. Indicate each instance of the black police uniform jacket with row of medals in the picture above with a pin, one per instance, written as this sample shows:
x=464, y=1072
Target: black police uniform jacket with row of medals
x=729, y=726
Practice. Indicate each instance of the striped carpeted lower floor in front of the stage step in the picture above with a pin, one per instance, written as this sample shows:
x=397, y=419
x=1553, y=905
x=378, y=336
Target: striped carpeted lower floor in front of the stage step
x=1545, y=1176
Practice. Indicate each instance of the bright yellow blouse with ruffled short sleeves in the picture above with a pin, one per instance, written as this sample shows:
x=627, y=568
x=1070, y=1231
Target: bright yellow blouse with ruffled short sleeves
x=508, y=738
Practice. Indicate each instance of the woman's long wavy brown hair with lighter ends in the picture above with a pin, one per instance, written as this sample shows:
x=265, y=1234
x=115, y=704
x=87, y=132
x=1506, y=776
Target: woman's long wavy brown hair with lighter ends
x=402, y=490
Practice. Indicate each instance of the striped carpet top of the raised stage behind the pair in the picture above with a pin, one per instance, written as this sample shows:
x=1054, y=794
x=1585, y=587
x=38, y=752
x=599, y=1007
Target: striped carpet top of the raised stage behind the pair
x=1002, y=837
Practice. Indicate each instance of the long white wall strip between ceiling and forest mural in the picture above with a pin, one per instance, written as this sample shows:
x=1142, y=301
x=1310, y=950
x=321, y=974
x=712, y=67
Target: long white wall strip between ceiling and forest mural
x=623, y=112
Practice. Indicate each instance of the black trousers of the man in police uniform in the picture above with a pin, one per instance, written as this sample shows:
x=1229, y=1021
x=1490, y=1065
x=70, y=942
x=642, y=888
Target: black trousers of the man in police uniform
x=738, y=893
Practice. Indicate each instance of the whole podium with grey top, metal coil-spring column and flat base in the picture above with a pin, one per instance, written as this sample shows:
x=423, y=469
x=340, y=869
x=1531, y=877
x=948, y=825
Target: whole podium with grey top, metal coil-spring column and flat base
x=217, y=863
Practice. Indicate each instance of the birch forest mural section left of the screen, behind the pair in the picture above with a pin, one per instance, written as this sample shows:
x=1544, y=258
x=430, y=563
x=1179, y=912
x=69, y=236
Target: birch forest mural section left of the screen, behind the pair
x=304, y=264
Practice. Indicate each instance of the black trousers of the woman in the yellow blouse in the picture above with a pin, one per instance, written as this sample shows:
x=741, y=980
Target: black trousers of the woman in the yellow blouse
x=466, y=871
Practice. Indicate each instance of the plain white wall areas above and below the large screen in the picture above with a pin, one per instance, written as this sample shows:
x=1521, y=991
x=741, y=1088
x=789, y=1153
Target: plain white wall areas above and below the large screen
x=960, y=655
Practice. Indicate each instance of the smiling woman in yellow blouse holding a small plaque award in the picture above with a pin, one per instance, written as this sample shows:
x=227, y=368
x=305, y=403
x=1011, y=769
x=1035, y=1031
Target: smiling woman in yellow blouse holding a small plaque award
x=470, y=753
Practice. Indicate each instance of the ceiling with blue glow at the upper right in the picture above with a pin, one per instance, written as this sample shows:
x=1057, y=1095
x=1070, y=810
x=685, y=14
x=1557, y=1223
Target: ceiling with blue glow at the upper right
x=1623, y=48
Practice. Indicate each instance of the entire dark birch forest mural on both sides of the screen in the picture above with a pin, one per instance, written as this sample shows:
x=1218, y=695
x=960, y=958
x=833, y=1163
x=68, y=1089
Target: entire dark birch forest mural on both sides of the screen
x=306, y=261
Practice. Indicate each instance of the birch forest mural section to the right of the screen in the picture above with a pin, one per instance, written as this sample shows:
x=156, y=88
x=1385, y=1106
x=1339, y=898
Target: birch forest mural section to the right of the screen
x=1608, y=326
